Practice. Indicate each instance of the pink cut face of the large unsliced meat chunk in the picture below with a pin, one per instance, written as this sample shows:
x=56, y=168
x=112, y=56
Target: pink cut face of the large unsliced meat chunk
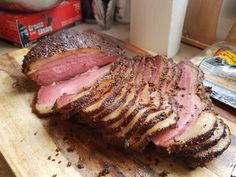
x=69, y=66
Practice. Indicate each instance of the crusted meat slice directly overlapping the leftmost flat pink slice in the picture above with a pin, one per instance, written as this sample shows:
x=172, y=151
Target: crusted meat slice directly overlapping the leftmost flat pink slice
x=72, y=104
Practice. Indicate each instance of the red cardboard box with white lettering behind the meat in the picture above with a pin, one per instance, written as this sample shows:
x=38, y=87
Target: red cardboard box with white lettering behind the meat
x=25, y=29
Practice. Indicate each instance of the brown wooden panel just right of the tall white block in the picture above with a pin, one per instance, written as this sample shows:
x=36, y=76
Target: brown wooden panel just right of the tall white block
x=201, y=22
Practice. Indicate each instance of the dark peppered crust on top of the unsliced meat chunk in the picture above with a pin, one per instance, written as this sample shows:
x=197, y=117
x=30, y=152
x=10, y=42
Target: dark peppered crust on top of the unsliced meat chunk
x=66, y=40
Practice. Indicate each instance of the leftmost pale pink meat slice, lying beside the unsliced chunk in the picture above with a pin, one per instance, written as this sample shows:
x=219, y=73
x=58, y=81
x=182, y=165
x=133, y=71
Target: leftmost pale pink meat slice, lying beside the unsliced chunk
x=47, y=95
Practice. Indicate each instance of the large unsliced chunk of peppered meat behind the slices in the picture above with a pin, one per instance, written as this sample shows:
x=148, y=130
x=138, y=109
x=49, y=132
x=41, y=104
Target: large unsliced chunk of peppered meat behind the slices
x=66, y=54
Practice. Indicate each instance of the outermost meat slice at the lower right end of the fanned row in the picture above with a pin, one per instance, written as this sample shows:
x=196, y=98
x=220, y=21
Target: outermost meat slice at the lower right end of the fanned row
x=202, y=157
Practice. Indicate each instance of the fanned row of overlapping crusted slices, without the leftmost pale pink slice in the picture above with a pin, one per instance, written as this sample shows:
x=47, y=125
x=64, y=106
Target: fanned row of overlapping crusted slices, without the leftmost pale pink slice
x=151, y=99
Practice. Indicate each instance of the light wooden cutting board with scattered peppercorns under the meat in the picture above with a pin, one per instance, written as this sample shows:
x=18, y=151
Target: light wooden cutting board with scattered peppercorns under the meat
x=48, y=147
